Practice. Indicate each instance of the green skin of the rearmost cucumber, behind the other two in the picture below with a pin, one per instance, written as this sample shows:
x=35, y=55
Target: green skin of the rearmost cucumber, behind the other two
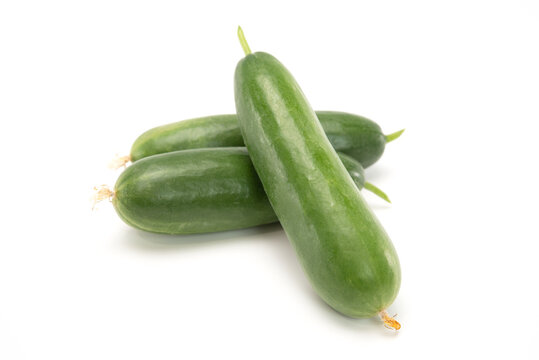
x=350, y=134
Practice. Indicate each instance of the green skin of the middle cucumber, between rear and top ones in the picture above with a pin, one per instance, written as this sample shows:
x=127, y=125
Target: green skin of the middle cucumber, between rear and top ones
x=198, y=191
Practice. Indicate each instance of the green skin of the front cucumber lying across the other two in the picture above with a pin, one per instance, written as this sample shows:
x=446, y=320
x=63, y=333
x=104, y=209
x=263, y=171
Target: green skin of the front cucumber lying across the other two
x=343, y=249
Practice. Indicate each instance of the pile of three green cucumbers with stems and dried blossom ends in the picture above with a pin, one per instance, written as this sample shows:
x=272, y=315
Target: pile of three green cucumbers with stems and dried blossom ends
x=275, y=160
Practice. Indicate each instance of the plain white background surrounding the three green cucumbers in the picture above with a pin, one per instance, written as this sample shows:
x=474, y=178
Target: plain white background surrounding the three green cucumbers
x=80, y=80
